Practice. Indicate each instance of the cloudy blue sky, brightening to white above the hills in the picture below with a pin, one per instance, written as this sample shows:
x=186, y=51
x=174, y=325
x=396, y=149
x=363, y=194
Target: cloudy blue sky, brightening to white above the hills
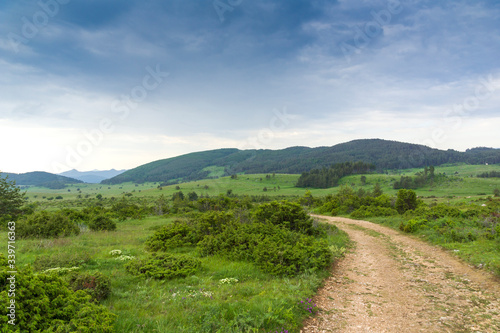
x=101, y=84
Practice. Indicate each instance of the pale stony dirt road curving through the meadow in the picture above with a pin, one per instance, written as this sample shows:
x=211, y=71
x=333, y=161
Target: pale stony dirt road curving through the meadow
x=392, y=282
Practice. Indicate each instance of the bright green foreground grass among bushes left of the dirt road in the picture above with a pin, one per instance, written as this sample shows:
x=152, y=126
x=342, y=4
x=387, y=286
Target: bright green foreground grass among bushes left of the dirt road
x=257, y=302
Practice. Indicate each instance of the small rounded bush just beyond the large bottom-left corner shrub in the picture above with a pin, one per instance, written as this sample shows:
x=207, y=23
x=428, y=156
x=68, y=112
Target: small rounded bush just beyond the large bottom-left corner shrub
x=96, y=284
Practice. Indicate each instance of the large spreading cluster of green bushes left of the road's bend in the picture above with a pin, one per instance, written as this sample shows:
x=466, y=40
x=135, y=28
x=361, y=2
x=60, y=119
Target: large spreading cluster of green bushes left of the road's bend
x=280, y=238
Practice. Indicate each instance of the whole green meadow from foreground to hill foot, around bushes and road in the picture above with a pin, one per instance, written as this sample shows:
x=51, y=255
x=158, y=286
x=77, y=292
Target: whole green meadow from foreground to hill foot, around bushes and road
x=224, y=294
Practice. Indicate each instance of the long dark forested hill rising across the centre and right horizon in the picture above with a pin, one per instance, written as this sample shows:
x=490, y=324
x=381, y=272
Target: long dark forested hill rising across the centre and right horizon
x=383, y=154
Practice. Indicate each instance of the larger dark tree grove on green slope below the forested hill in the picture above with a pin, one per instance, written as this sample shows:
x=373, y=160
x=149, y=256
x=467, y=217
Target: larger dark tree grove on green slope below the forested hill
x=324, y=178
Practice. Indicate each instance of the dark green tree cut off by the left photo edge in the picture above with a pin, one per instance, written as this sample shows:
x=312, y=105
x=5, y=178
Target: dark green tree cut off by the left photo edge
x=11, y=199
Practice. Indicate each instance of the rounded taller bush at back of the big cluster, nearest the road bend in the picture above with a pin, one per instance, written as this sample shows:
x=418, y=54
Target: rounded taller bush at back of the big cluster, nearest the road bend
x=286, y=214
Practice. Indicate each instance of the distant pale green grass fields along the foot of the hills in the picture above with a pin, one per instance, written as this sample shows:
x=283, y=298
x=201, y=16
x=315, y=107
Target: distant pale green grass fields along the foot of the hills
x=460, y=185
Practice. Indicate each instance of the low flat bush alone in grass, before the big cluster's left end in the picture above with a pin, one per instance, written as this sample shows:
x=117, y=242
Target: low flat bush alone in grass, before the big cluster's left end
x=164, y=266
